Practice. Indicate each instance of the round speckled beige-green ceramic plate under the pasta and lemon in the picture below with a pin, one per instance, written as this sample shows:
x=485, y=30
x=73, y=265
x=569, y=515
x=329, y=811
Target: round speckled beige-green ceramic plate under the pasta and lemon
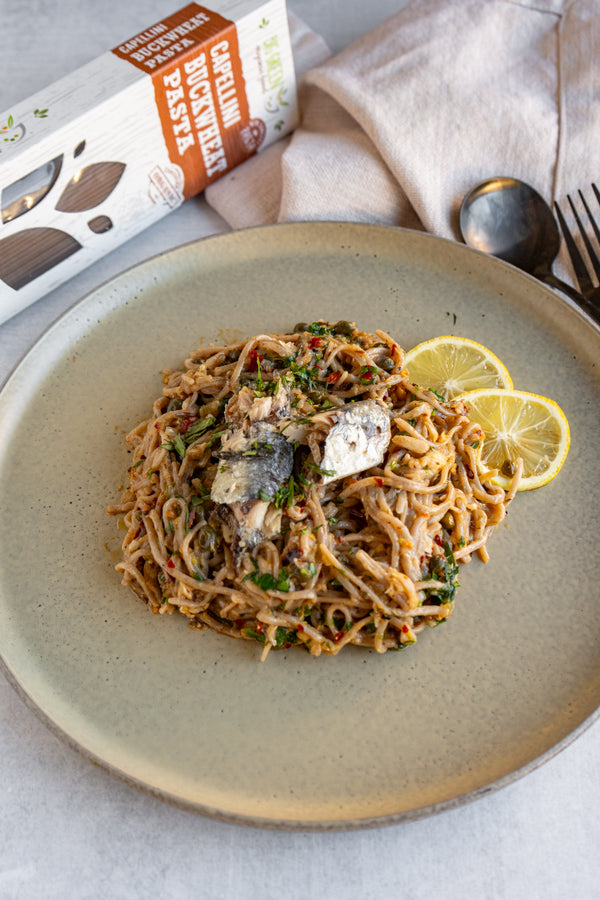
x=194, y=717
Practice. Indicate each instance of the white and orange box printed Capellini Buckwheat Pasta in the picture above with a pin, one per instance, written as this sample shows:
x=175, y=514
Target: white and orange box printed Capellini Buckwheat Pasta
x=106, y=151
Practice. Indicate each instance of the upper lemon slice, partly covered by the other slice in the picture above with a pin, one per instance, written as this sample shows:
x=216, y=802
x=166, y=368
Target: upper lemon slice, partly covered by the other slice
x=451, y=365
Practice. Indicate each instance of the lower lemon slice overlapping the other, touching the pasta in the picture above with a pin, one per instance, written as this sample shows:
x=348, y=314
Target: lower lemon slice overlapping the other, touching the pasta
x=520, y=425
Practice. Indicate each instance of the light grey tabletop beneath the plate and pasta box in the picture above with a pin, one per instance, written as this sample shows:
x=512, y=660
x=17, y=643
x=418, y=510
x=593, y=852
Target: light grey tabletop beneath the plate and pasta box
x=70, y=830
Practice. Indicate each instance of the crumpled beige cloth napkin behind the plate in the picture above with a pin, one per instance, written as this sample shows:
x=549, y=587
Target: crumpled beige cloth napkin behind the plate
x=396, y=128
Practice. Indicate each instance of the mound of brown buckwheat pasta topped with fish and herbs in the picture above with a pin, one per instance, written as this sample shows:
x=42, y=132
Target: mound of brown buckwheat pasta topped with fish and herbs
x=298, y=489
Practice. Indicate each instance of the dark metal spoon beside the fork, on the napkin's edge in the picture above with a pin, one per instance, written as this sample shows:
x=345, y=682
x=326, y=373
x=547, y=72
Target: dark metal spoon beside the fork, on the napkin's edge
x=508, y=219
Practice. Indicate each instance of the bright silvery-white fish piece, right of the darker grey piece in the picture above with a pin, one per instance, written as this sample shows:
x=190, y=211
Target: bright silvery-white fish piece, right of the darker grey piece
x=357, y=440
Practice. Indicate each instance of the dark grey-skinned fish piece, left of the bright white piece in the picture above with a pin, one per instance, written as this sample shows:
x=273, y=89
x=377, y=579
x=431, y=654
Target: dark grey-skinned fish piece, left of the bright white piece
x=262, y=461
